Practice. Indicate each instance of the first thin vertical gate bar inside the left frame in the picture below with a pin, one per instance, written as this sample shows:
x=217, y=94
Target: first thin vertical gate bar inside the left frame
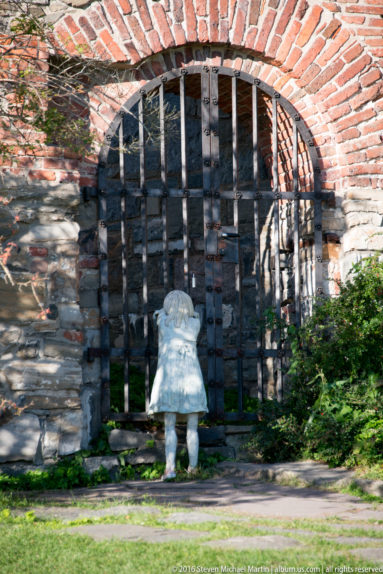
x=124, y=264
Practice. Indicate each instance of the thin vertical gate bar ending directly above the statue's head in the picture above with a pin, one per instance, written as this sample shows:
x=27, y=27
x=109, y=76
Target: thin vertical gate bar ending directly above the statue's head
x=184, y=179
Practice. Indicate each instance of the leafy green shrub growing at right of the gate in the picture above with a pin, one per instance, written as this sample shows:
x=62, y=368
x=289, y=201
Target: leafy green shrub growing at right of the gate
x=334, y=408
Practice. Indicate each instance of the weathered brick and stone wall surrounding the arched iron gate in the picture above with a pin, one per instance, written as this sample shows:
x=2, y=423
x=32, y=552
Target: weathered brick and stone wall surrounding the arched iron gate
x=324, y=57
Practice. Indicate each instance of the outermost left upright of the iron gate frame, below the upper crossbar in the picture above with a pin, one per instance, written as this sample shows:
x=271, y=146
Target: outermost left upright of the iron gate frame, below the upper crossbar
x=104, y=306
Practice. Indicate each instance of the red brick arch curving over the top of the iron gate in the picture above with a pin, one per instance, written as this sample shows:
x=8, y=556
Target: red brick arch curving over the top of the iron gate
x=324, y=57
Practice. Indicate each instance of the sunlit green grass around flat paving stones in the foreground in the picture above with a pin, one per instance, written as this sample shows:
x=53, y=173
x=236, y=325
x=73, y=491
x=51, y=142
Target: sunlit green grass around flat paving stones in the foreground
x=33, y=546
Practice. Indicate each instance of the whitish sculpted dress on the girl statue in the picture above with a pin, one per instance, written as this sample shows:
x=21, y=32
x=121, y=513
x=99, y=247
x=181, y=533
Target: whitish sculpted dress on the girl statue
x=178, y=385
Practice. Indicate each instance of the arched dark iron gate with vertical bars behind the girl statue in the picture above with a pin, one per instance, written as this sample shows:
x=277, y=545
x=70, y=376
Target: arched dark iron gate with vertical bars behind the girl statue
x=229, y=229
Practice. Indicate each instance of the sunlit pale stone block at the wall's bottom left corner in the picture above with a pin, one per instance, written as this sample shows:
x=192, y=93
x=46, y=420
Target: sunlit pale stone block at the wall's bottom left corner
x=19, y=439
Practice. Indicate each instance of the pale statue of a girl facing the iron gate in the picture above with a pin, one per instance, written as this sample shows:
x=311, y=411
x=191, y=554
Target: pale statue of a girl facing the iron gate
x=178, y=392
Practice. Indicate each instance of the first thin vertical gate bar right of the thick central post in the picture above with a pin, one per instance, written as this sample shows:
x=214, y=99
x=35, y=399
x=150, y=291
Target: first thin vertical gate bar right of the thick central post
x=238, y=285
